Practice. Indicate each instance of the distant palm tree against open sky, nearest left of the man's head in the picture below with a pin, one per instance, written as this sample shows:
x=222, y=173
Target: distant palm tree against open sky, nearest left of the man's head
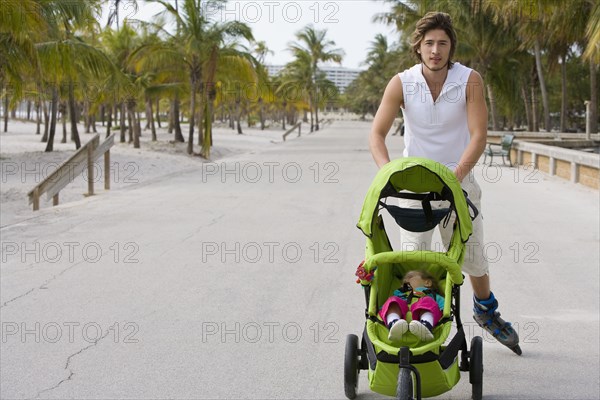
x=314, y=43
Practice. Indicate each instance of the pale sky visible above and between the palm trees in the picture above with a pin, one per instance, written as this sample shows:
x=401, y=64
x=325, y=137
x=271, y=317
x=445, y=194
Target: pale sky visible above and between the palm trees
x=348, y=23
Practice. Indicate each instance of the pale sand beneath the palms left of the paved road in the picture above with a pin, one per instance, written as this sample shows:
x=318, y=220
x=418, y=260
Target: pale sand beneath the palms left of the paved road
x=24, y=163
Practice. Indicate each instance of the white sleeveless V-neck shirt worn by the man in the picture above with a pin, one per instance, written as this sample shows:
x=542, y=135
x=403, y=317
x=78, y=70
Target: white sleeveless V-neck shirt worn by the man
x=436, y=130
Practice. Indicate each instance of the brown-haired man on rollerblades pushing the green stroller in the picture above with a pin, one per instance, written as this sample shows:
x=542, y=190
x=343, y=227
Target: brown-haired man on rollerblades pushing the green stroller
x=445, y=118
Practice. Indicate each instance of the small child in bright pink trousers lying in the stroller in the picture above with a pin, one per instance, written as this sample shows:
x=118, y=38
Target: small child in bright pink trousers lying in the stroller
x=425, y=310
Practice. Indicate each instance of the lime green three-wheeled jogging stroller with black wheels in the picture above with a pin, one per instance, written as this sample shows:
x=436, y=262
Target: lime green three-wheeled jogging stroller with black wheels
x=411, y=368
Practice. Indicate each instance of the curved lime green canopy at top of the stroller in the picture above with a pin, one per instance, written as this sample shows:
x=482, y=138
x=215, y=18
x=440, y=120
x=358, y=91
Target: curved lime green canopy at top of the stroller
x=418, y=175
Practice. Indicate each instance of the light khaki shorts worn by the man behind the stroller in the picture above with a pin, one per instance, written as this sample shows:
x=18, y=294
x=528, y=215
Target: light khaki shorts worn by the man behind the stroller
x=475, y=263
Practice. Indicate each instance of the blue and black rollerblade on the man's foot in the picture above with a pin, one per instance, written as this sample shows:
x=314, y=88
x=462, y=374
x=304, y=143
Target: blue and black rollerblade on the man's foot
x=488, y=318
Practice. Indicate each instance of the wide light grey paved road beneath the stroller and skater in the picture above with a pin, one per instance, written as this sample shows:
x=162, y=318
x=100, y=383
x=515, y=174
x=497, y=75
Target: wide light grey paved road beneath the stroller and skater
x=235, y=280
